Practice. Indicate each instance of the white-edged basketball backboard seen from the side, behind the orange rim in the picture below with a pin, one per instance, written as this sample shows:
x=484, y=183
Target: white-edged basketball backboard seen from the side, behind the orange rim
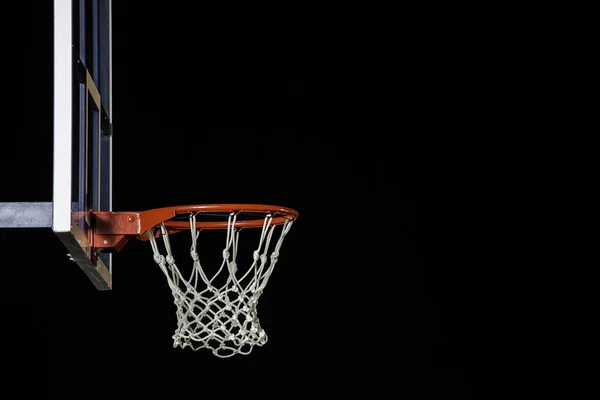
x=82, y=178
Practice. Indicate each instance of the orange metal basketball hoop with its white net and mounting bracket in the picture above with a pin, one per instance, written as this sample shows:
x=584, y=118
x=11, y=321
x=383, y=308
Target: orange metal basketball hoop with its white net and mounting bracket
x=214, y=311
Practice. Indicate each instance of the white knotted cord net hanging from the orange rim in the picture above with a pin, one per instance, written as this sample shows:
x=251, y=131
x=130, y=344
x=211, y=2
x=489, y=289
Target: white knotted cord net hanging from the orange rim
x=221, y=317
